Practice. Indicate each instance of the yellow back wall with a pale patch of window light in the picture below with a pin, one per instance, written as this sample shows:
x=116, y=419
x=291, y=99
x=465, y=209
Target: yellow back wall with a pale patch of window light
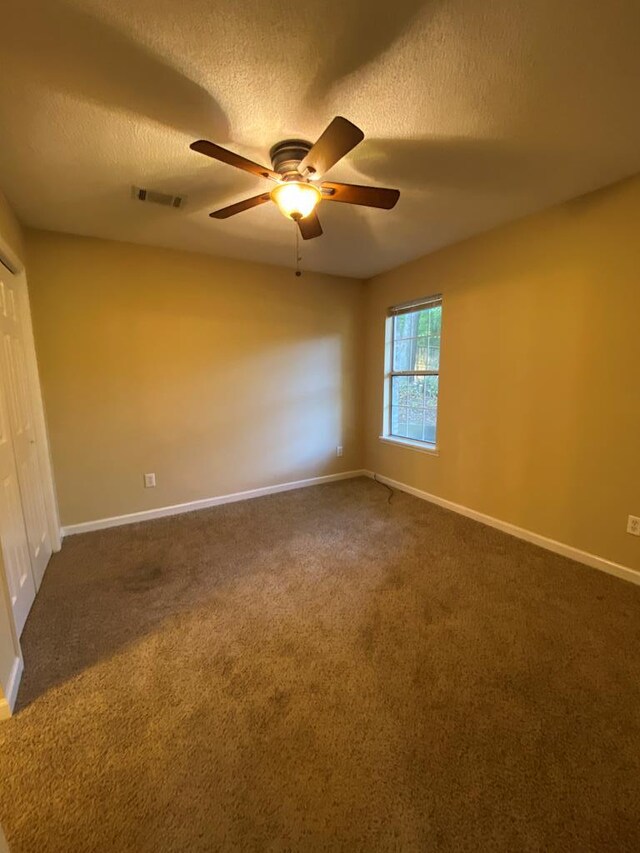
x=217, y=375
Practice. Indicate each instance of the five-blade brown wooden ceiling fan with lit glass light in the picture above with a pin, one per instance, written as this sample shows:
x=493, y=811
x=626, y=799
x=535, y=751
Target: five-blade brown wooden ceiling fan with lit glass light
x=297, y=167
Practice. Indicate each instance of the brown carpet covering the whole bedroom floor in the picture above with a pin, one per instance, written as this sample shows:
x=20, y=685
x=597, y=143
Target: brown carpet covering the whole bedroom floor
x=322, y=670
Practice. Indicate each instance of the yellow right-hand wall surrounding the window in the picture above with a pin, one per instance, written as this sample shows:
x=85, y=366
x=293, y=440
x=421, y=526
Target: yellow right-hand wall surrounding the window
x=539, y=421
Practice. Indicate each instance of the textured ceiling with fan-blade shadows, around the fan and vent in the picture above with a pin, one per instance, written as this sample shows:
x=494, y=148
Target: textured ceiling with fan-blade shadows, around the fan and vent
x=478, y=112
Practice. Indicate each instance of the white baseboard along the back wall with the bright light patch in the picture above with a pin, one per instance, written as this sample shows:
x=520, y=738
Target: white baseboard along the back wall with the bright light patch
x=191, y=506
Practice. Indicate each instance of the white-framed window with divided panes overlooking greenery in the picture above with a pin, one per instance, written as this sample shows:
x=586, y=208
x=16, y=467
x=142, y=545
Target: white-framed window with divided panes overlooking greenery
x=413, y=366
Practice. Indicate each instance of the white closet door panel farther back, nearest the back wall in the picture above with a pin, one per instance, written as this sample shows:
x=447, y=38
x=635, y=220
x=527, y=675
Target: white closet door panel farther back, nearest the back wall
x=23, y=434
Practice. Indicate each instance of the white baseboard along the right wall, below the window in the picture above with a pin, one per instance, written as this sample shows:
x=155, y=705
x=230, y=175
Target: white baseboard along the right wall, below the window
x=592, y=560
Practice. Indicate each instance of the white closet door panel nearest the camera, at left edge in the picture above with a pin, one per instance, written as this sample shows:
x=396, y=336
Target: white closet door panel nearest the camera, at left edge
x=13, y=534
